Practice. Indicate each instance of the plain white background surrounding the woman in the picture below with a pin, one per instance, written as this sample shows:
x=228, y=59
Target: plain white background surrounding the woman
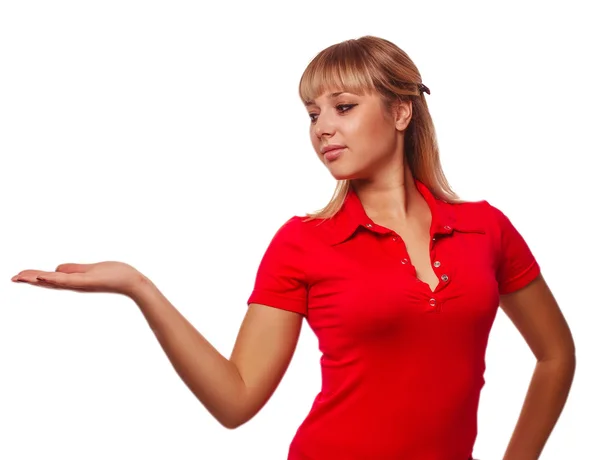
x=170, y=135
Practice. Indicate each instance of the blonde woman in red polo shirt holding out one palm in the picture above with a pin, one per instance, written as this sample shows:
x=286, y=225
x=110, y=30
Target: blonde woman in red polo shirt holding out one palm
x=399, y=279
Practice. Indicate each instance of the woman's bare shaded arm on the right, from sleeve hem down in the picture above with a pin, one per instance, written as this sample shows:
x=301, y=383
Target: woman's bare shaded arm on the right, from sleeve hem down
x=536, y=315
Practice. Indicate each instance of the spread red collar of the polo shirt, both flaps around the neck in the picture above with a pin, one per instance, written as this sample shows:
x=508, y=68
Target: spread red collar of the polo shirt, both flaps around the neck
x=446, y=218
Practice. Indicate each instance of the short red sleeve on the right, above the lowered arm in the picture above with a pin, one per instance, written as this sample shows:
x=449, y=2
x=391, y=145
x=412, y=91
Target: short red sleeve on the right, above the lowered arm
x=517, y=266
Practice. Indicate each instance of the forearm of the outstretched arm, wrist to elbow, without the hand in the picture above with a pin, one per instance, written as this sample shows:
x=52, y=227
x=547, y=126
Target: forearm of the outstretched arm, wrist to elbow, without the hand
x=213, y=379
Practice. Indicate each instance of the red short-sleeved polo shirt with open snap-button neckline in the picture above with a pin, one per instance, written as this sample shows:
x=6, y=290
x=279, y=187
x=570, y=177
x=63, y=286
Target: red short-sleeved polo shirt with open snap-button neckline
x=402, y=366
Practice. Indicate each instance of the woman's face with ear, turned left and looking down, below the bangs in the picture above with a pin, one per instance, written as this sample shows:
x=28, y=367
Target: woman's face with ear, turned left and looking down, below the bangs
x=364, y=136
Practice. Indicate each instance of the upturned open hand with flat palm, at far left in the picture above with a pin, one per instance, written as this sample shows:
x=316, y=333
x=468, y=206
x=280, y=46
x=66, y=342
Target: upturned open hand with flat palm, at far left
x=113, y=277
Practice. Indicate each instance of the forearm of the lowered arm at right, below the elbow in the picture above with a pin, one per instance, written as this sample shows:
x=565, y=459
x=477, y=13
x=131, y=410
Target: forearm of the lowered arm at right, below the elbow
x=543, y=404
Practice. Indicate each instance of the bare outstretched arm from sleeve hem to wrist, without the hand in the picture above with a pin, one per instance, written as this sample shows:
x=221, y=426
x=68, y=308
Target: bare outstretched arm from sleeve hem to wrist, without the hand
x=232, y=390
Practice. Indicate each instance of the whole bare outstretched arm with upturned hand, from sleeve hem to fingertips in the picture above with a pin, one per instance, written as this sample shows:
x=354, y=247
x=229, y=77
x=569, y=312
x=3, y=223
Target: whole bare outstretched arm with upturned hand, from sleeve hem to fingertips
x=233, y=390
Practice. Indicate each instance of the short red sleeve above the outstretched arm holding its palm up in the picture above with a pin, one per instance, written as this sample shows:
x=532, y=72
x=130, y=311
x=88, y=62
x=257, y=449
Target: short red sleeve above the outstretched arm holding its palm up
x=280, y=280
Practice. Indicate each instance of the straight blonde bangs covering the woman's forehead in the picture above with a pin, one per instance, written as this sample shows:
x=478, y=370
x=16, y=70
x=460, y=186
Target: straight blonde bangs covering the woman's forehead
x=341, y=67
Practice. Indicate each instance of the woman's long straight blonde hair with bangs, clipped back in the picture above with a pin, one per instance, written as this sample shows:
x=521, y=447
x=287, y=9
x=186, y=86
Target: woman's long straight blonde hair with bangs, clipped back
x=371, y=64
